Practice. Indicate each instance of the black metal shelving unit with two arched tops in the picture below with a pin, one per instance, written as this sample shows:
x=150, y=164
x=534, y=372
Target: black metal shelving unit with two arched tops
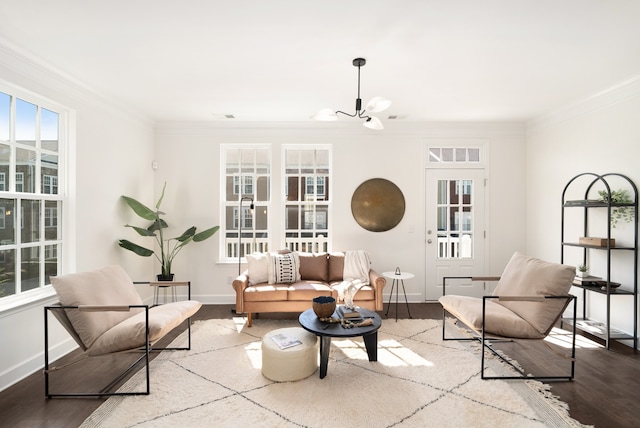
x=595, y=182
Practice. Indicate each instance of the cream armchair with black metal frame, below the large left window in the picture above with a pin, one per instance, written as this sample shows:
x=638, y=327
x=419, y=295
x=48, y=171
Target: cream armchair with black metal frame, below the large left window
x=104, y=314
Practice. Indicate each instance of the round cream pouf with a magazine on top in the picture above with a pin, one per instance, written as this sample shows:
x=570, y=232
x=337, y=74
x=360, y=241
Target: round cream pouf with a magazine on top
x=289, y=364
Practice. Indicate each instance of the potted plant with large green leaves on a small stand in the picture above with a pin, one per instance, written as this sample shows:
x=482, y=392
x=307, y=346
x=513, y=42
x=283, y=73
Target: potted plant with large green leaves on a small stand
x=168, y=248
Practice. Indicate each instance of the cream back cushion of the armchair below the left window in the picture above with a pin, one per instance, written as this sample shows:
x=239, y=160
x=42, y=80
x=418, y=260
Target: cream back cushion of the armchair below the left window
x=107, y=286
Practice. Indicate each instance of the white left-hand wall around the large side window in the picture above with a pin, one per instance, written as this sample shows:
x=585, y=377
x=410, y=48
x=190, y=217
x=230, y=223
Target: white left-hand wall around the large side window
x=113, y=150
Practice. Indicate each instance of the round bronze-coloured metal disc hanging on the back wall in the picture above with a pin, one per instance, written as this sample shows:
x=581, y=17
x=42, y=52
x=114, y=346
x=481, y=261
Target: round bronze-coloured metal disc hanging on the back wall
x=377, y=205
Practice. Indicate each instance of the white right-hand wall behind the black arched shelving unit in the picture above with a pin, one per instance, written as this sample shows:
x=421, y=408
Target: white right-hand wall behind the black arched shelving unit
x=600, y=134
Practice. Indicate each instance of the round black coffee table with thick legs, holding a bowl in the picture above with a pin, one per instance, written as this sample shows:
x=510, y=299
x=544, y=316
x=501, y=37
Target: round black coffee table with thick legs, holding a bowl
x=310, y=322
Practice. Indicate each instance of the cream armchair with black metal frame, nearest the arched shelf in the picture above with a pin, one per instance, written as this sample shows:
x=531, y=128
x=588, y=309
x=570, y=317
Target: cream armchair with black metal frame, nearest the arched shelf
x=528, y=301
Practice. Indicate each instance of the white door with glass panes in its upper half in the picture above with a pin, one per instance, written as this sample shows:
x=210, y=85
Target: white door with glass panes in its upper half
x=455, y=241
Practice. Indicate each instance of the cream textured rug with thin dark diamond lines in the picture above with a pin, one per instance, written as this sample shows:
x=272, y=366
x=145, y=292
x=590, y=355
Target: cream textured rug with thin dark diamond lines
x=418, y=381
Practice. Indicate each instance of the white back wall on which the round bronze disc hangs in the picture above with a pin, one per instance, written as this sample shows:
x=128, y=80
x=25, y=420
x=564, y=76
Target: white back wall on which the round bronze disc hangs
x=188, y=159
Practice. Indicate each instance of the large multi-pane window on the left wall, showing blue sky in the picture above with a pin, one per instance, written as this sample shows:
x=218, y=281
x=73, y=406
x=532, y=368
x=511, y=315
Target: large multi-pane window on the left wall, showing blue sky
x=31, y=136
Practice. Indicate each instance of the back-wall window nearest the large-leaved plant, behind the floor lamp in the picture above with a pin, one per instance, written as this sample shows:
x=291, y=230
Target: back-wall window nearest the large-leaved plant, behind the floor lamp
x=246, y=180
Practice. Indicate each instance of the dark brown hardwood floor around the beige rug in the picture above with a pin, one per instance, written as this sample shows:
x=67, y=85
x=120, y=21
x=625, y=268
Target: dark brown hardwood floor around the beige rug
x=602, y=394
